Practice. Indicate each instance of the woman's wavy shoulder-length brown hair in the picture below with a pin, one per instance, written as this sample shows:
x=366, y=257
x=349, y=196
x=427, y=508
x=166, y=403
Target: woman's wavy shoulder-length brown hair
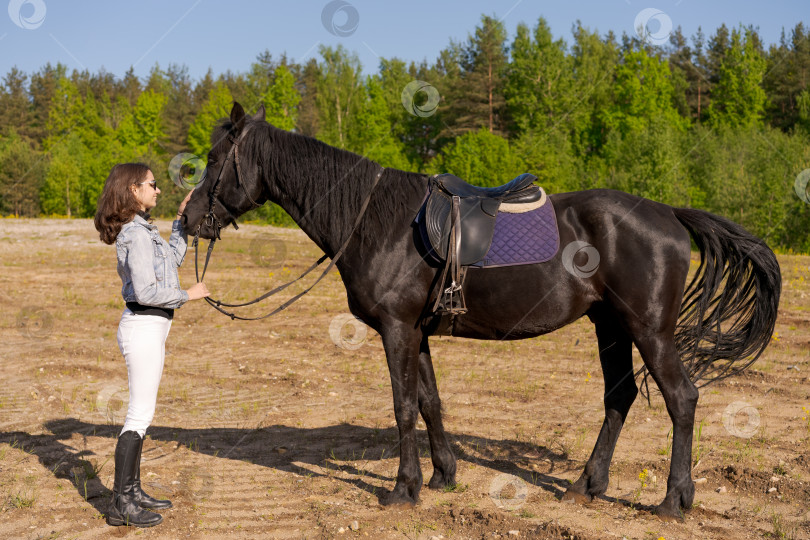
x=117, y=204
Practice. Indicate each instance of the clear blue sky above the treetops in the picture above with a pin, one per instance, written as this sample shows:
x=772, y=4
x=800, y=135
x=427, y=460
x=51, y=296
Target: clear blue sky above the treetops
x=115, y=34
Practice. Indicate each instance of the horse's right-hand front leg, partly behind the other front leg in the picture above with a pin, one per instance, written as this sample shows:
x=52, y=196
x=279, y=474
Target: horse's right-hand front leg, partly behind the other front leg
x=444, y=462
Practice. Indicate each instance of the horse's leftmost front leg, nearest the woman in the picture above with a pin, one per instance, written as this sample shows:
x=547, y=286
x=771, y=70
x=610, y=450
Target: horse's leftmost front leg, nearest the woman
x=401, y=344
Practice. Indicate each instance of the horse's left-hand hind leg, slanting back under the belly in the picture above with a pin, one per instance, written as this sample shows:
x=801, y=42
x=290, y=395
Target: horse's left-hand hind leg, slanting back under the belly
x=616, y=357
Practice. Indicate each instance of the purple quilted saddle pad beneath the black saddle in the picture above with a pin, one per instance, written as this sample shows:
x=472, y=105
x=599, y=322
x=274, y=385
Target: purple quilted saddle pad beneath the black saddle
x=527, y=238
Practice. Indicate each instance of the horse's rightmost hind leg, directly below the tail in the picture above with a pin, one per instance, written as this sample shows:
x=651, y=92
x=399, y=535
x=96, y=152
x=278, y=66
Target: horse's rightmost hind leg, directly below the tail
x=680, y=395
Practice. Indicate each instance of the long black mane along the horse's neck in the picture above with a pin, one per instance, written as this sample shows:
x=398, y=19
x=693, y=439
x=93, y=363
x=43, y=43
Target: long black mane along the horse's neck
x=334, y=182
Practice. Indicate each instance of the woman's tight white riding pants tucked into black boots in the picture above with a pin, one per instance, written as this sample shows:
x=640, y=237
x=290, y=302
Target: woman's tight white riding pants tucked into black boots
x=142, y=340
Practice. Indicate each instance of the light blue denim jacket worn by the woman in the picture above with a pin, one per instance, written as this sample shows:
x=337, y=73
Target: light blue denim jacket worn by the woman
x=148, y=264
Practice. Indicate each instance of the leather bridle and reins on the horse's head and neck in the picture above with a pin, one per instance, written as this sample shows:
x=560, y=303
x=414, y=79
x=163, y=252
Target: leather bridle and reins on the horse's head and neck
x=212, y=221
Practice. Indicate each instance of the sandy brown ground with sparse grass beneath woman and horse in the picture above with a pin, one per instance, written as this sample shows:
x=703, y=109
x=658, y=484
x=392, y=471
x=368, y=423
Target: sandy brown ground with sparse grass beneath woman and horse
x=284, y=428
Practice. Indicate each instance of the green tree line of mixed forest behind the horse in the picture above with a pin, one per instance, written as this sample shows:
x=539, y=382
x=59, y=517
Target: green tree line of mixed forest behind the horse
x=720, y=123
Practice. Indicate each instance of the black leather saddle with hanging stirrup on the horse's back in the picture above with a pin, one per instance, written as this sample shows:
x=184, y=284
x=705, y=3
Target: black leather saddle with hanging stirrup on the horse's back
x=458, y=221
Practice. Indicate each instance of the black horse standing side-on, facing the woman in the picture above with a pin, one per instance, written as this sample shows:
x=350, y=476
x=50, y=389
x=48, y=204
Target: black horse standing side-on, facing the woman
x=638, y=296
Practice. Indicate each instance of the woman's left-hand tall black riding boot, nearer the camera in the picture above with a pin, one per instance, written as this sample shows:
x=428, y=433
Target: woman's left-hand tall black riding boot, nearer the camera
x=124, y=509
